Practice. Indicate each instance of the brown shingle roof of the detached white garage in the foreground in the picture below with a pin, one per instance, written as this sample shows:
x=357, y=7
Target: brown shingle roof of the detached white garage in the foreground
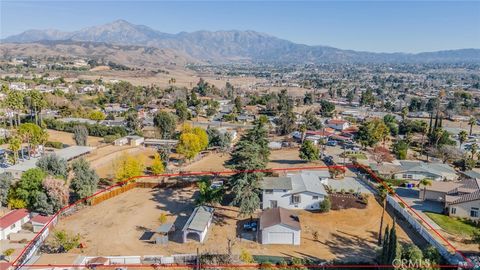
x=279, y=215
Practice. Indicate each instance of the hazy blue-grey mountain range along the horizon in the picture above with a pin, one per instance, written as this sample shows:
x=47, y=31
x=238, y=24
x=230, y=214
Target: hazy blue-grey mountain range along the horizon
x=231, y=46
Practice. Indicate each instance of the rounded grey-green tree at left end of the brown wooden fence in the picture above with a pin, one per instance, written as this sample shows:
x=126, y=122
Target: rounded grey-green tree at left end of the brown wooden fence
x=85, y=180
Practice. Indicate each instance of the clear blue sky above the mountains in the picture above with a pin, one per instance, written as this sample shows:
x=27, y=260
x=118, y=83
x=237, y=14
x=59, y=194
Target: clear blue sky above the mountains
x=380, y=26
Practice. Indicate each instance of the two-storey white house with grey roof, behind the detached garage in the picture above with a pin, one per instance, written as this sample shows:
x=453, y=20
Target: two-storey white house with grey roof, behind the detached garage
x=294, y=191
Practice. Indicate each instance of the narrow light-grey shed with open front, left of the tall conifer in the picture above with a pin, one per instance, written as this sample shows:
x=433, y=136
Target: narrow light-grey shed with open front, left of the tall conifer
x=198, y=223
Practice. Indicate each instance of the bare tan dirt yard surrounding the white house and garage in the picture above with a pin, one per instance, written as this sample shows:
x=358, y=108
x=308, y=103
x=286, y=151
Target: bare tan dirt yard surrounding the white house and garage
x=115, y=226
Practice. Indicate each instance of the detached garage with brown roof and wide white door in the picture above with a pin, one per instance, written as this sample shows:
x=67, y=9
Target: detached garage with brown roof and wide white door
x=279, y=226
